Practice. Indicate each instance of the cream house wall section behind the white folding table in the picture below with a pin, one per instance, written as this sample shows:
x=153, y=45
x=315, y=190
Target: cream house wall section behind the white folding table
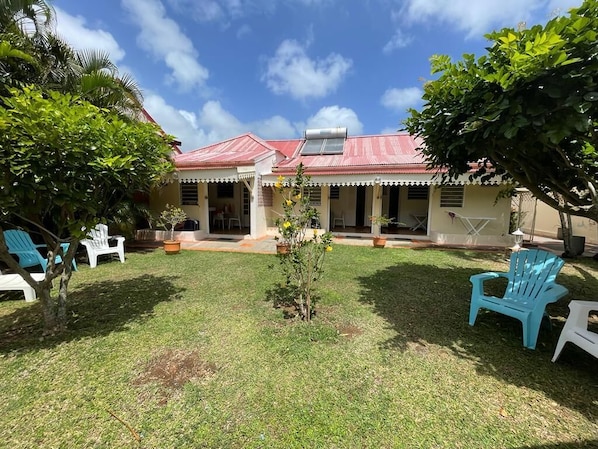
x=478, y=201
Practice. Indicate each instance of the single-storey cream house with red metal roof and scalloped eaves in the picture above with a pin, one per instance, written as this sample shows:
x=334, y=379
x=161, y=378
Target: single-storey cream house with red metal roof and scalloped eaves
x=228, y=187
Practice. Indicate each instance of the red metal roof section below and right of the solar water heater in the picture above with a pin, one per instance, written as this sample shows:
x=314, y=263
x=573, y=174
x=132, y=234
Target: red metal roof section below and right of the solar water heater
x=390, y=153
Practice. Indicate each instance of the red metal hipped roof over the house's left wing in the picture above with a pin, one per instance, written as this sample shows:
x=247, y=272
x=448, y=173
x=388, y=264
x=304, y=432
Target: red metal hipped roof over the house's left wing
x=242, y=150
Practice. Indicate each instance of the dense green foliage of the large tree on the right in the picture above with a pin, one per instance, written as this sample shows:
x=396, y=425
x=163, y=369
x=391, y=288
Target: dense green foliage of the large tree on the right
x=525, y=111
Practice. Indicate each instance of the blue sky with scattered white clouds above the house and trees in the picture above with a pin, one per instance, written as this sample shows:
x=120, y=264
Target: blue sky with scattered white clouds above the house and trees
x=214, y=69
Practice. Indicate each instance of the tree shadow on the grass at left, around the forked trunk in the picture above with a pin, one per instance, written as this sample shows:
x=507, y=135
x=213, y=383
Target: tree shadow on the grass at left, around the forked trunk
x=93, y=310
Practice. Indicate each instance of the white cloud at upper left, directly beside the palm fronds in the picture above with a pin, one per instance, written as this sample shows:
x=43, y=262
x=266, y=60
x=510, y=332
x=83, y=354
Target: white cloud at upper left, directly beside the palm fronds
x=75, y=31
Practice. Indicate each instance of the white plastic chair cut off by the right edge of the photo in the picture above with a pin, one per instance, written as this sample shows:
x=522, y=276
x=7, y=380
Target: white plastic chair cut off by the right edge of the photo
x=576, y=329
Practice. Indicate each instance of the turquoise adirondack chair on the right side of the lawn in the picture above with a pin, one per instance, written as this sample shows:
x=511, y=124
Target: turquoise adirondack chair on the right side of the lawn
x=531, y=286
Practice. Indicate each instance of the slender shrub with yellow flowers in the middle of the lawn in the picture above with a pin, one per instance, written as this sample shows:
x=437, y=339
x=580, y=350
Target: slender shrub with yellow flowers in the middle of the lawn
x=302, y=264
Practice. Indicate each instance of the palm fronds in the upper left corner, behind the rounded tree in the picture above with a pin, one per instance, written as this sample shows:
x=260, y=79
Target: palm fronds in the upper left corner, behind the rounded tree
x=43, y=59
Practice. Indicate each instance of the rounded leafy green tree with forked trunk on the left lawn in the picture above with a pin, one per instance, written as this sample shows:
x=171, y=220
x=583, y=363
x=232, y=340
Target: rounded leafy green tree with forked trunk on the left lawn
x=65, y=165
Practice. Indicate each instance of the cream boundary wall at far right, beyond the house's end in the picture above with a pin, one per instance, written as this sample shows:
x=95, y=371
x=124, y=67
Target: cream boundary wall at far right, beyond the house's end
x=547, y=222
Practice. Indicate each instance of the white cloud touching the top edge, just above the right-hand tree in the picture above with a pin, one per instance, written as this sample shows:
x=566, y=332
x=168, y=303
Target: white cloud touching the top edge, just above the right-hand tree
x=473, y=17
